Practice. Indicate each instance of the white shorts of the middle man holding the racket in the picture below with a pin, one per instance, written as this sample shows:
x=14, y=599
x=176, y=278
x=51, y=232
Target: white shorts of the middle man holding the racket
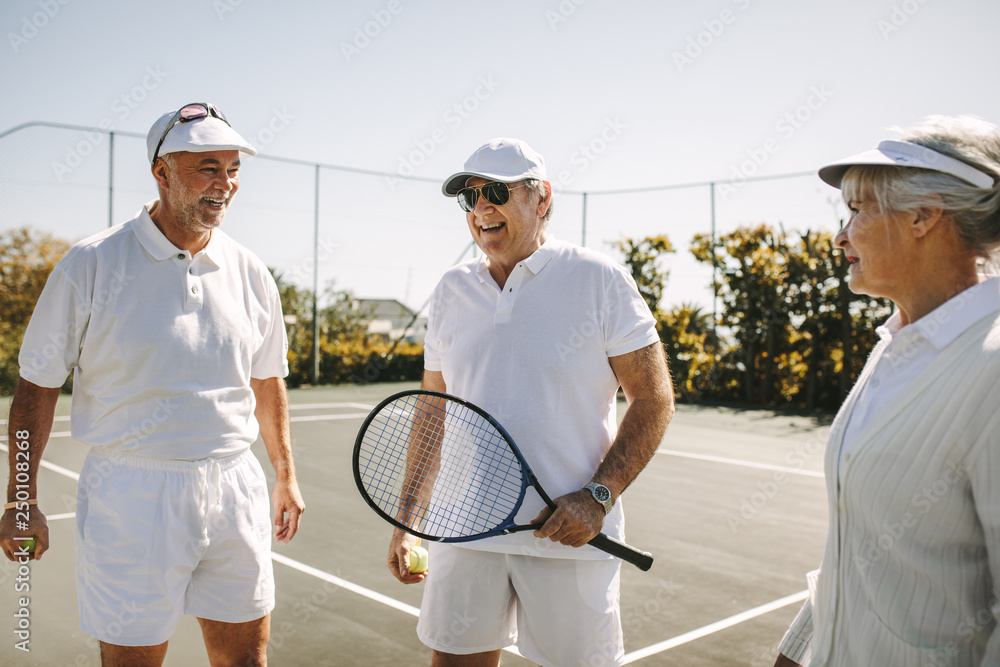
x=558, y=611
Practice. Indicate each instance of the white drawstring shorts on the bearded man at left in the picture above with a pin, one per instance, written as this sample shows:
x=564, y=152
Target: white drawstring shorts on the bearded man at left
x=157, y=539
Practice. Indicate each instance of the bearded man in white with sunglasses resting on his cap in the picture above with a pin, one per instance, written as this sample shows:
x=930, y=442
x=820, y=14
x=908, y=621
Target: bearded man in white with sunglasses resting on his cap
x=174, y=335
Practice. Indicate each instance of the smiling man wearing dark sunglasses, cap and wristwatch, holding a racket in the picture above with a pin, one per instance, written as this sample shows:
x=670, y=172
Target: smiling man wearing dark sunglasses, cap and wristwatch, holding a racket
x=541, y=334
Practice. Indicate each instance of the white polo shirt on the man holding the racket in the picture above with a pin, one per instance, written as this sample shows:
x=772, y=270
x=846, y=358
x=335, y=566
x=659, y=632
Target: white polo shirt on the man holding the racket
x=535, y=357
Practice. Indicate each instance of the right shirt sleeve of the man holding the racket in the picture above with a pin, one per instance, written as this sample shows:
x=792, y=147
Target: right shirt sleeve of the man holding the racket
x=629, y=326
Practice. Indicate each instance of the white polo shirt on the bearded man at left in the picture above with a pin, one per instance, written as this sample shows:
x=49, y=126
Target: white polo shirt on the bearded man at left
x=162, y=344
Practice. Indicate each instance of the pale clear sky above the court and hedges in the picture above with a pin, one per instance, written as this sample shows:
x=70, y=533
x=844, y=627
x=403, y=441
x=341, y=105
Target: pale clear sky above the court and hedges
x=614, y=95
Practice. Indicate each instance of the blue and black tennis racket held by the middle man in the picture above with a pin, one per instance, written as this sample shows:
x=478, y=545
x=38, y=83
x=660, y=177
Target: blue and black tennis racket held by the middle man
x=442, y=469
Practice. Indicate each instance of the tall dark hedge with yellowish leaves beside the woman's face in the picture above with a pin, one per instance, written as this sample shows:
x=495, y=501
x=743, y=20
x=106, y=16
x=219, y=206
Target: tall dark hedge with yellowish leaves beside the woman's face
x=799, y=337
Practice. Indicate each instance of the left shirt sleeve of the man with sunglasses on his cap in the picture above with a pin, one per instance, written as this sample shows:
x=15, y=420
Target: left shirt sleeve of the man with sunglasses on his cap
x=51, y=346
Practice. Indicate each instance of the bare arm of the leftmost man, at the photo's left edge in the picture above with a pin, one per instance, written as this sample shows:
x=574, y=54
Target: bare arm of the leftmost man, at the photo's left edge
x=30, y=420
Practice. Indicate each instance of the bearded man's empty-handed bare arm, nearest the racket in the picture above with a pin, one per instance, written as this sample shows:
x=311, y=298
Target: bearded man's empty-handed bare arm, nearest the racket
x=272, y=415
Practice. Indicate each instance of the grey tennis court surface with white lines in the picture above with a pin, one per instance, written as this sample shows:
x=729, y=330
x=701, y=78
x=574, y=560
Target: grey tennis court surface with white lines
x=732, y=507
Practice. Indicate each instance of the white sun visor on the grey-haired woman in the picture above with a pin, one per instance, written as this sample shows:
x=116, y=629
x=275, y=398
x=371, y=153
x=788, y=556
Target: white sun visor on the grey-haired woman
x=907, y=154
